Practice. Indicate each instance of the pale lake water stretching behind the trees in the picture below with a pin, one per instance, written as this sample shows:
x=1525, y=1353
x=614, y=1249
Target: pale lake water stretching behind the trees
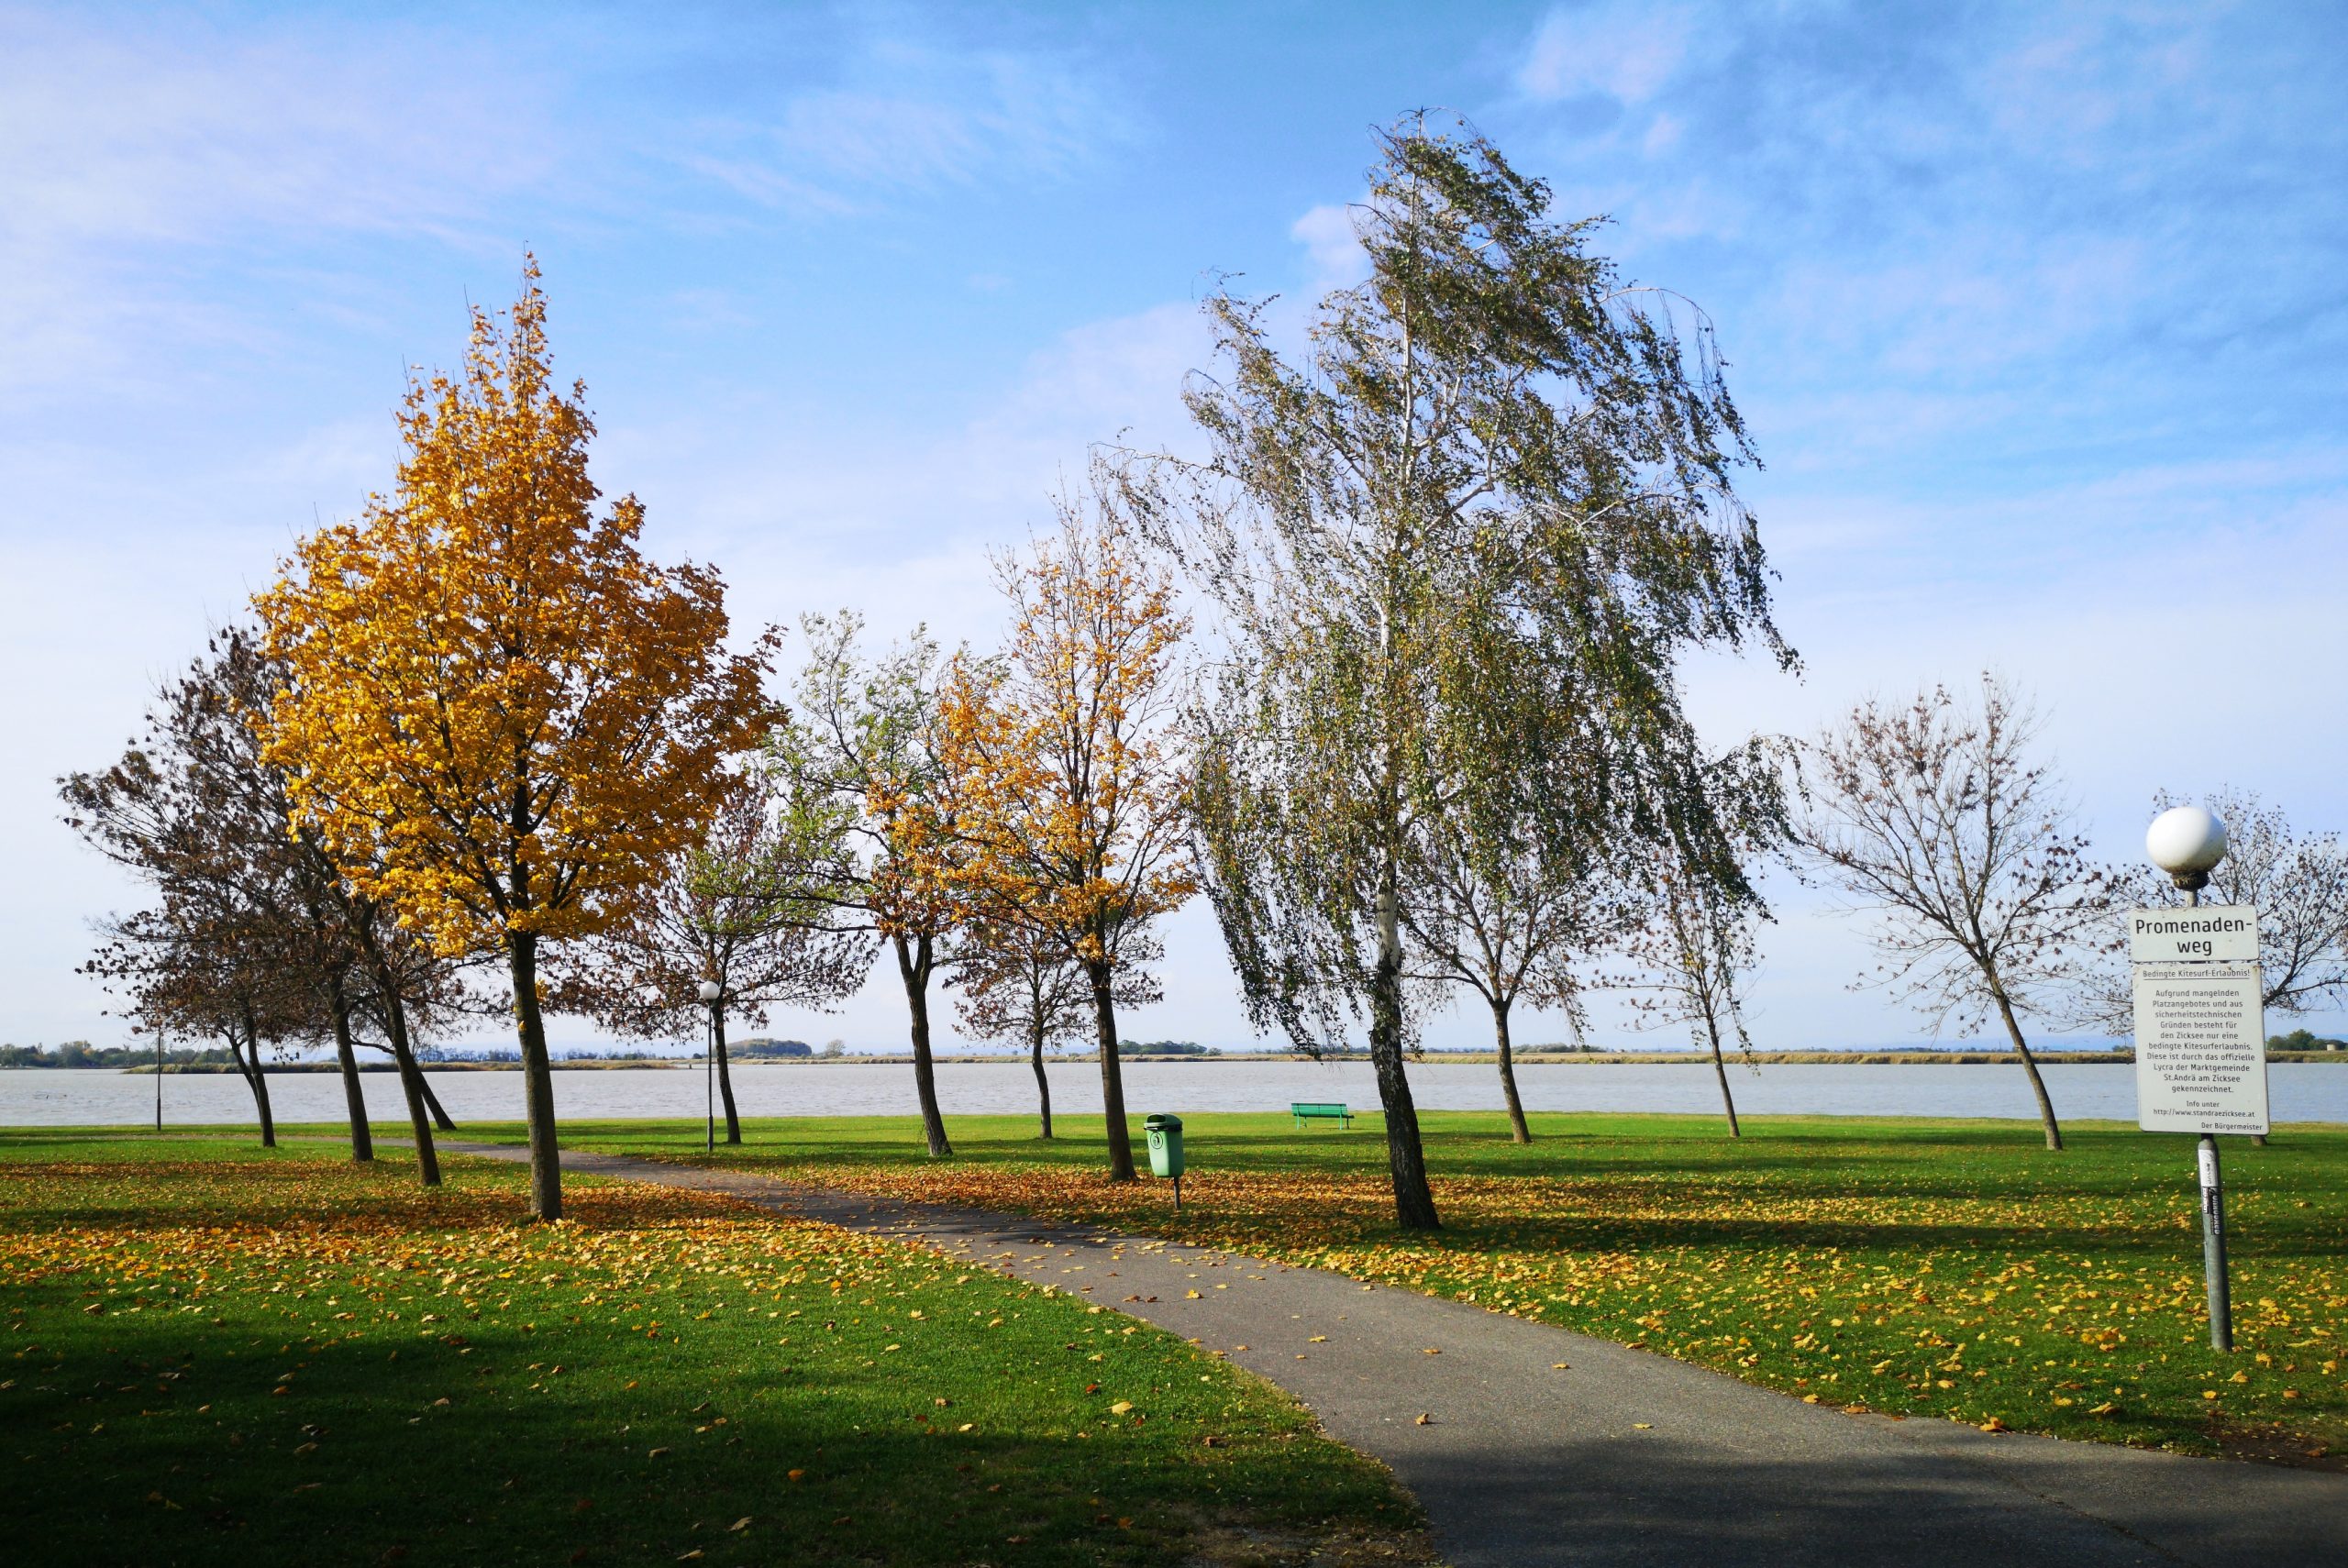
x=81, y=1097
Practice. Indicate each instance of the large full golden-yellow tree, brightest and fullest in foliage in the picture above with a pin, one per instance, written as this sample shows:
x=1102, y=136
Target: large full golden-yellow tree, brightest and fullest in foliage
x=499, y=717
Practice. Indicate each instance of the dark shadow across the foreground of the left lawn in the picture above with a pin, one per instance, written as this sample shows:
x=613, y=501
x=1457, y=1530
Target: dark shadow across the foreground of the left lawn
x=187, y=1447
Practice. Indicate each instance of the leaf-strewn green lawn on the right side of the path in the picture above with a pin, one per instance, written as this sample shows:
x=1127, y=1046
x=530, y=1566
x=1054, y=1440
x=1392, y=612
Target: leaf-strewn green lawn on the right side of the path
x=1922, y=1269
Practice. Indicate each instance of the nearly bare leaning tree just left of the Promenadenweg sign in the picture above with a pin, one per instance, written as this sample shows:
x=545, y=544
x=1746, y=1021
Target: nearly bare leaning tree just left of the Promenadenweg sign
x=1936, y=820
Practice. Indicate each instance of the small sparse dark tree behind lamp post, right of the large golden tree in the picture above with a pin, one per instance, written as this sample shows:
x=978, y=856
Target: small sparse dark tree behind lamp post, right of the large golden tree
x=734, y=910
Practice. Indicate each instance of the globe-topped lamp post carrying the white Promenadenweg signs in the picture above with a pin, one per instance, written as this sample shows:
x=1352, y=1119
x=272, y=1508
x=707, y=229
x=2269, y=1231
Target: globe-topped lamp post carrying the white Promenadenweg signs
x=2201, y=1025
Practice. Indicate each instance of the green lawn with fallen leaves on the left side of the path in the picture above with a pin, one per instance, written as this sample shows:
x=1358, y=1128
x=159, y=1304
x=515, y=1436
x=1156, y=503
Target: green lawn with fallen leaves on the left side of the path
x=222, y=1356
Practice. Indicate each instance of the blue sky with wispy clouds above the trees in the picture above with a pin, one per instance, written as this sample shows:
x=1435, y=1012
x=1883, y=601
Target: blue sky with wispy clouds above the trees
x=2035, y=311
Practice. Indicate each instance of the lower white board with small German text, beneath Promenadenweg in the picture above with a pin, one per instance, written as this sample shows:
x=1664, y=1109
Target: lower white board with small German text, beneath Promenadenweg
x=2201, y=1048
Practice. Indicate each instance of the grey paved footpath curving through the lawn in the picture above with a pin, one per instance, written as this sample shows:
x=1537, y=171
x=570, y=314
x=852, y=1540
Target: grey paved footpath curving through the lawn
x=1621, y=1459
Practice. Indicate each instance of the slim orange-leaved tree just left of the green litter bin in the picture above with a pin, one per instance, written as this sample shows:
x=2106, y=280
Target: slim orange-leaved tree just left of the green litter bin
x=1062, y=771
